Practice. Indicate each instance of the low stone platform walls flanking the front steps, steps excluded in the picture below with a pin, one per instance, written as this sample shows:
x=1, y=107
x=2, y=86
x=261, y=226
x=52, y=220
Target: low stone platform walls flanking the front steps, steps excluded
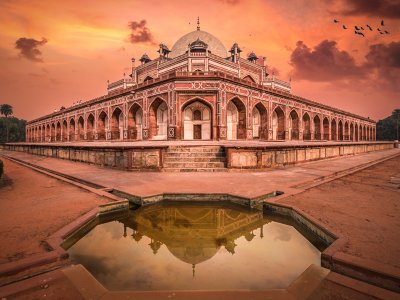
x=238, y=157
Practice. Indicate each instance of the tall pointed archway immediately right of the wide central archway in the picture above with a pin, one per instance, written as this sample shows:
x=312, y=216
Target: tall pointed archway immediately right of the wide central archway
x=236, y=120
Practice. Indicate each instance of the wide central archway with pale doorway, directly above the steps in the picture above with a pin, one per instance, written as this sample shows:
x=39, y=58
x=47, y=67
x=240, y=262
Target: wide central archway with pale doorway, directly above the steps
x=197, y=121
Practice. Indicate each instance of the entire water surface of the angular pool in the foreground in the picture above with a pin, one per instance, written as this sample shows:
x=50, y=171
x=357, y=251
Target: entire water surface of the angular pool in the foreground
x=194, y=246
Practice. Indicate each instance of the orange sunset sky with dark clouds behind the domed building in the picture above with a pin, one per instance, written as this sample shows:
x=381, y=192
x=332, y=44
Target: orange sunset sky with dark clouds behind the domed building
x=53, y=53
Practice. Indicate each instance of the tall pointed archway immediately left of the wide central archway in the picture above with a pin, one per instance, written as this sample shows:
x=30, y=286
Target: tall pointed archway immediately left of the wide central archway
x=158, y=120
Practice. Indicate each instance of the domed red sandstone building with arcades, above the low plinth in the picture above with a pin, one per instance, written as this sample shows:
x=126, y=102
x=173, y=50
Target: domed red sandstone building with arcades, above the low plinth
x=198, y=91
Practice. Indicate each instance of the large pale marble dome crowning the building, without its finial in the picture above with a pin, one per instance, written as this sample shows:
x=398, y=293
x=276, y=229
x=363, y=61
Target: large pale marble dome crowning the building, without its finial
x=214, y=45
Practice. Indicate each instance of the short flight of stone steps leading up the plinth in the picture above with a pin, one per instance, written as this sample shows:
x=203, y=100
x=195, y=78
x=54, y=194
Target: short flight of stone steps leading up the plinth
x=195, y=159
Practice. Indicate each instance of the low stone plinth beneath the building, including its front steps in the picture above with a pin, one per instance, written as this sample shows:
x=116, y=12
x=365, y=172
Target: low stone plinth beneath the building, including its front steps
x=208, y=156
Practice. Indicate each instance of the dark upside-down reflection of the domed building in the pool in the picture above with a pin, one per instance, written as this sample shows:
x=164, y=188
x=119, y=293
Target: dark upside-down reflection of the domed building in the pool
x=193, y=233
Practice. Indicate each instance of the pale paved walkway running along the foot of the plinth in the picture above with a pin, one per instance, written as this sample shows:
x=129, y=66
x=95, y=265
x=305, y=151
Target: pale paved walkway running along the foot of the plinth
x=246, y=184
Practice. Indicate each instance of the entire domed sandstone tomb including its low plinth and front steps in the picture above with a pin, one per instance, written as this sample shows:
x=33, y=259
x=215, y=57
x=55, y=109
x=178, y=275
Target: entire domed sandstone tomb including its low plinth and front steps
x=199, y=107
